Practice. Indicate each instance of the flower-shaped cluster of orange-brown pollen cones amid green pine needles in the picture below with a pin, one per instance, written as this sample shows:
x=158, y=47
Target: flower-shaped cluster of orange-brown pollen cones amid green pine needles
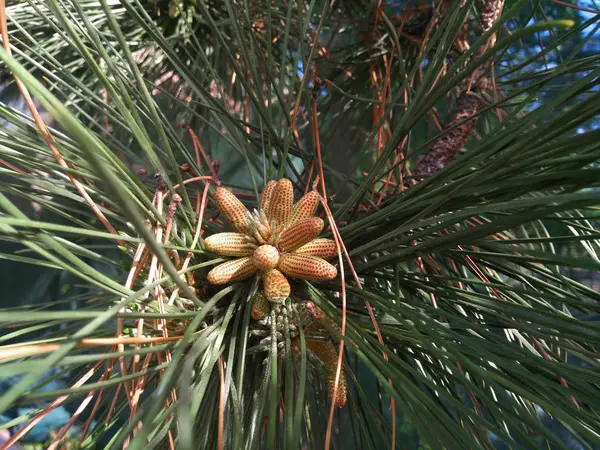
x=277, y=241
